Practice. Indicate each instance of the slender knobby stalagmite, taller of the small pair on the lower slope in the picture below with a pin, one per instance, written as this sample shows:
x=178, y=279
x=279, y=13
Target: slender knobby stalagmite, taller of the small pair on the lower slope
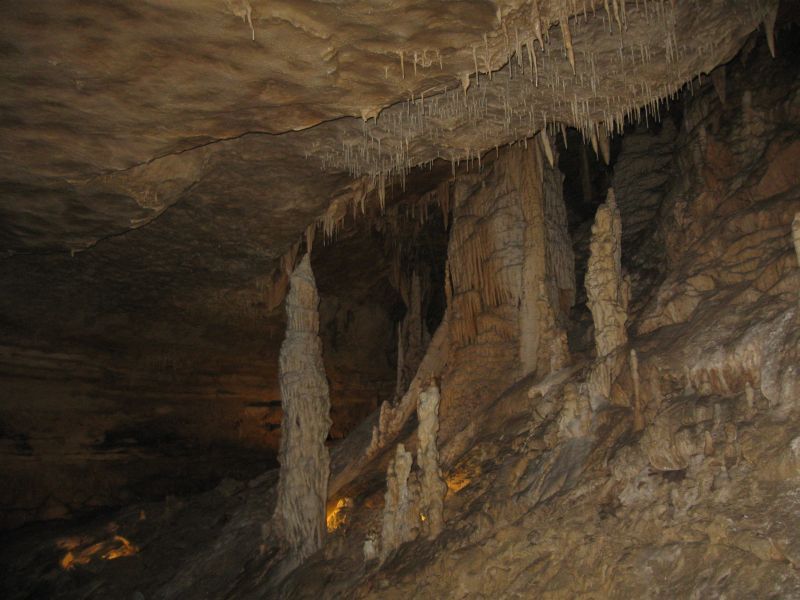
x=432, y=485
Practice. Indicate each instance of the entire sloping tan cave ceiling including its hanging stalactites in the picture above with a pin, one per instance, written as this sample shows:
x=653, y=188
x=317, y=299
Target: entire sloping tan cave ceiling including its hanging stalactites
x=204, y=136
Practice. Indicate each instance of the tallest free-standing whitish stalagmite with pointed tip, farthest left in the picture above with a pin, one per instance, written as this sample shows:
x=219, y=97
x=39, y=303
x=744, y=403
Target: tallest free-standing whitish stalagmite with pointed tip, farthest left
x=305, y=464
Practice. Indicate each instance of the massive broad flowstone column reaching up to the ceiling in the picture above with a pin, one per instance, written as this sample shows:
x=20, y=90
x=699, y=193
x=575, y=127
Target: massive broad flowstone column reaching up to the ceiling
x=511, y=280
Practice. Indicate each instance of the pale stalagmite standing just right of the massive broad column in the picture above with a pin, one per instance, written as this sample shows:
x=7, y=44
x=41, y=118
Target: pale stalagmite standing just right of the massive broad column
x=605, y=288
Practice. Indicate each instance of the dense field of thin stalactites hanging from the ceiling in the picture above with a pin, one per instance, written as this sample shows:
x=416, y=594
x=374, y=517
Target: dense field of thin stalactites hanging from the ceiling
x=530, y=75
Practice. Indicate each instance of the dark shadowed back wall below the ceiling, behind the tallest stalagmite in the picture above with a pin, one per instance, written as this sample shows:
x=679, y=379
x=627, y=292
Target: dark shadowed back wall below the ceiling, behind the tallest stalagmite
x=109, y=399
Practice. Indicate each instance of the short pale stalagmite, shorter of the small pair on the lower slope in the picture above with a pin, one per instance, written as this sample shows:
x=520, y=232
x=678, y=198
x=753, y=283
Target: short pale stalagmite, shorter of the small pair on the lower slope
x=400, y=514
